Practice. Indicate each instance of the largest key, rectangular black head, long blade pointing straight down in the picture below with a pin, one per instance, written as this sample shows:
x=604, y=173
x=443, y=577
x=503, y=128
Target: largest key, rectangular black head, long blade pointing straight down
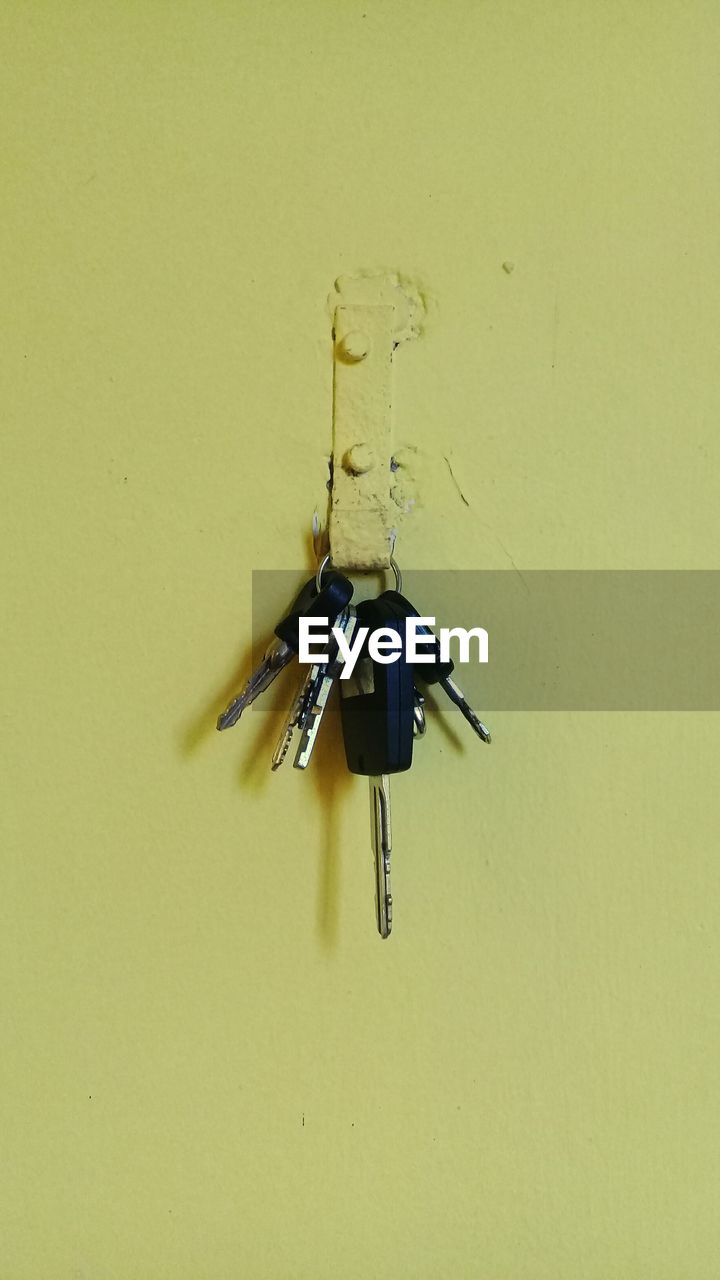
x=379, y=719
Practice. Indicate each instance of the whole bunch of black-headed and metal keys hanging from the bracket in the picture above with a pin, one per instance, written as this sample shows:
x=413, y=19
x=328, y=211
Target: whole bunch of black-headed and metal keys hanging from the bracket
x=382, y=708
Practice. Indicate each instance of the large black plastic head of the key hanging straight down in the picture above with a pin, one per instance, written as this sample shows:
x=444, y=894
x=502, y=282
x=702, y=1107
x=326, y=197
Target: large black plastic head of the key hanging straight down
x=377, y=703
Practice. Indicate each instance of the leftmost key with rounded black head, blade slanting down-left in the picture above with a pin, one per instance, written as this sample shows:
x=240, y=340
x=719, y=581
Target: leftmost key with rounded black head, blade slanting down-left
x=329, y=604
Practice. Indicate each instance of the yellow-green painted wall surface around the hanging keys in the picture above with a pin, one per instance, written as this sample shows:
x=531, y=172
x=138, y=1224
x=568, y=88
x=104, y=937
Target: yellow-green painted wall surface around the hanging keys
x=212, y=1067
